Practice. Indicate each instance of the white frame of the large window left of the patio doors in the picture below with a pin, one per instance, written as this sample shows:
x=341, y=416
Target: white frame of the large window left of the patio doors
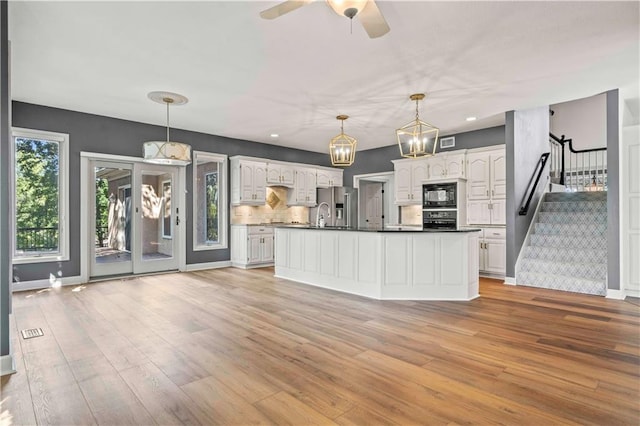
x=63, y=196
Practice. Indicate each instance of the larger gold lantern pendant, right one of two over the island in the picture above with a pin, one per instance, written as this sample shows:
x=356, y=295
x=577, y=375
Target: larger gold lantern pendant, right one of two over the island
x=417, y=138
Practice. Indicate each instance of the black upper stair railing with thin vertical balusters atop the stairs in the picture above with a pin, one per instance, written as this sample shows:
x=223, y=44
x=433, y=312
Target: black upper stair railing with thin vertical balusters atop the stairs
x=587, y=168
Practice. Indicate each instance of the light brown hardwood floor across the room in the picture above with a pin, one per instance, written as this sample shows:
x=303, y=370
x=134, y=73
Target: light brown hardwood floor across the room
x=230, y=346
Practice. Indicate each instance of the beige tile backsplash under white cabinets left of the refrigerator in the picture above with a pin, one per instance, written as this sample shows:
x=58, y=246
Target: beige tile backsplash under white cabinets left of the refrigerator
x=275, y=210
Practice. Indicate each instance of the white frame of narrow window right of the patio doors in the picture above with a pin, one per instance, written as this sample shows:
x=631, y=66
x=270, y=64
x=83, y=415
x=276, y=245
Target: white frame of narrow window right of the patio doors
x=223, y=207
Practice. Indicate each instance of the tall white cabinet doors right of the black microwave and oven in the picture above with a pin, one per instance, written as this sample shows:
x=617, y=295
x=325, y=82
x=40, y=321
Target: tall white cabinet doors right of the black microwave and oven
x=486, y=187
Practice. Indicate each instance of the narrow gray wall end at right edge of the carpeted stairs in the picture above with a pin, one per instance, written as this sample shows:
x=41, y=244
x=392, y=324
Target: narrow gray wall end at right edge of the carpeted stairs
x=613, y=191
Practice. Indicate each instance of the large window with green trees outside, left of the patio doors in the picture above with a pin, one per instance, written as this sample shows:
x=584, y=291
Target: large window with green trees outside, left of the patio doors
x=40, y=186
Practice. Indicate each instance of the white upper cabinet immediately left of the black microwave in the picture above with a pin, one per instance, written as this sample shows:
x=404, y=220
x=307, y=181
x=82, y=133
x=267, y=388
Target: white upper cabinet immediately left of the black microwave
x=409, y=175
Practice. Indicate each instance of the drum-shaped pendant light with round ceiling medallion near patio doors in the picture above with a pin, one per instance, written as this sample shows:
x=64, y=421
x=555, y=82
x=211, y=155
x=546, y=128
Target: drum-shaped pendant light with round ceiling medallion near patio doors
x=167, y=152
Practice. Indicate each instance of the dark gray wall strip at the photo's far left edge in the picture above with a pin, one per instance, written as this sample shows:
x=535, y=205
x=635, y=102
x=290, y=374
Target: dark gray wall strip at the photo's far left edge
x=5, y=265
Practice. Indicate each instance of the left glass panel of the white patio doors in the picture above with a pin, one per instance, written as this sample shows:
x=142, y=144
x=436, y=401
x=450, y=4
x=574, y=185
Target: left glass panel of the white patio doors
x=111, y=219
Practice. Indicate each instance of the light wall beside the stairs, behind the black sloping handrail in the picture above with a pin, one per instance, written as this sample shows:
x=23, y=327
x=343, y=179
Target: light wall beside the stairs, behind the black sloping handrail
x=527, y=137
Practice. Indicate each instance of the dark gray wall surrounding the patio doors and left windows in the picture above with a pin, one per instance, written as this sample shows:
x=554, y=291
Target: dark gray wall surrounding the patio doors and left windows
x=93, y=133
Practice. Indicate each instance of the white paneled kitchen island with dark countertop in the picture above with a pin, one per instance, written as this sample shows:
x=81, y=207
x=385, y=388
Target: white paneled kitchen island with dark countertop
x=385, y=265
